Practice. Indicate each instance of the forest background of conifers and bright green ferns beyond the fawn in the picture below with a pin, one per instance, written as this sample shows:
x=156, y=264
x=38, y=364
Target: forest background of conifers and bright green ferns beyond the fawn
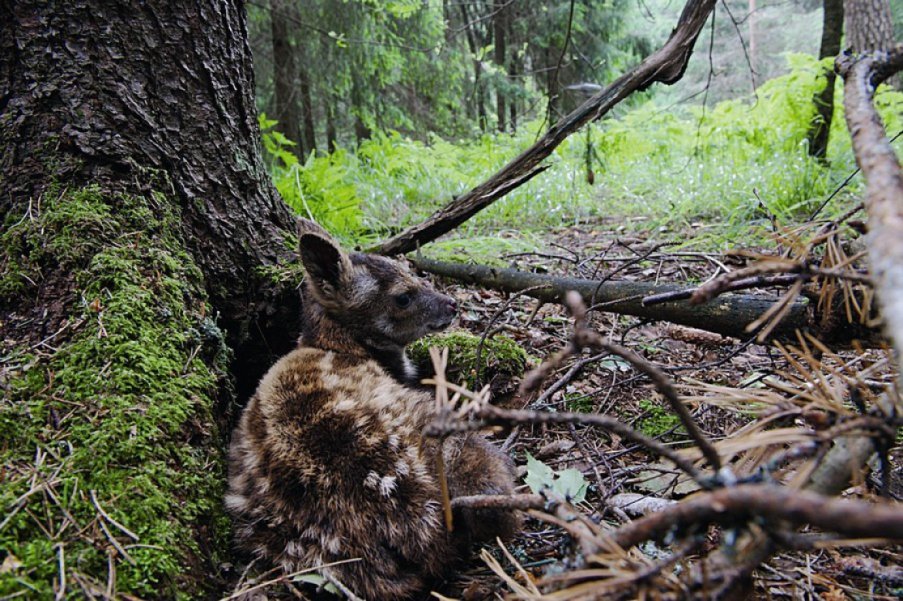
x=418, y=101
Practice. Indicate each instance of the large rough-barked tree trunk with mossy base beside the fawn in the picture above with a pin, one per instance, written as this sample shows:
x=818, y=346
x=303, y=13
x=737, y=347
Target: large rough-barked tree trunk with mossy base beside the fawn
x=138, y=220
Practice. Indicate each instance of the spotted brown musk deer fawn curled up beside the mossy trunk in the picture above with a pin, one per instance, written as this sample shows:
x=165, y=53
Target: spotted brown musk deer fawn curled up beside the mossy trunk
x=328, y=463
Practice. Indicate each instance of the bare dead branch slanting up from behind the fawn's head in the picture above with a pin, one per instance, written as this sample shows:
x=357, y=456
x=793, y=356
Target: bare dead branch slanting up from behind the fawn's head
x=667, y=66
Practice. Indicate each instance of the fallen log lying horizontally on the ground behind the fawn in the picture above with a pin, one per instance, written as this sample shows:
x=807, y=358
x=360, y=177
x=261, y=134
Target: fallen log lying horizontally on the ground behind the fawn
x=729, y=314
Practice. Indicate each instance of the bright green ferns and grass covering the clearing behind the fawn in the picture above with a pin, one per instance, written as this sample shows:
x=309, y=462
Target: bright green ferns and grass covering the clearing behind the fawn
x=702, y=177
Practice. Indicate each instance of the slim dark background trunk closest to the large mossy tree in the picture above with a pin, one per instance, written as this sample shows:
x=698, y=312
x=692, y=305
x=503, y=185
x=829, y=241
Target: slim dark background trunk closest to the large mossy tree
x=288, y=106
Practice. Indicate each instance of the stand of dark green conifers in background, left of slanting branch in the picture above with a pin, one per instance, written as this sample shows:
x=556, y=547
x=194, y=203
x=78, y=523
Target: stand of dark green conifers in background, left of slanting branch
x=429, y=67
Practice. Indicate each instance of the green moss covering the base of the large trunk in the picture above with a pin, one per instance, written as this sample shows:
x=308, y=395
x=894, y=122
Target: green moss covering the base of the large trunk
x=113, y=413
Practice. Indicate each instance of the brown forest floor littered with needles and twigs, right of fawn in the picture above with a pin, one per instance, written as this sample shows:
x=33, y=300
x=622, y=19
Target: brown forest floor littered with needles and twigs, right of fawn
x=739, y=393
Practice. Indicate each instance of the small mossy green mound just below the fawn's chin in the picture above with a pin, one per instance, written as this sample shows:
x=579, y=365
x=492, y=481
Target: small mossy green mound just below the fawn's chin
x=501, y=359
